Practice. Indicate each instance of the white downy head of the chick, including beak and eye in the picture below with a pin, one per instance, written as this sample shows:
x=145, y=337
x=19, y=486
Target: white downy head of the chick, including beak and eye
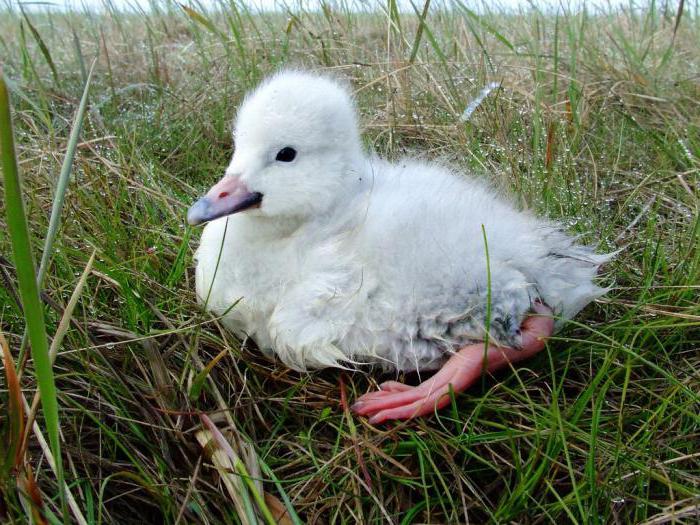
x=297, y=147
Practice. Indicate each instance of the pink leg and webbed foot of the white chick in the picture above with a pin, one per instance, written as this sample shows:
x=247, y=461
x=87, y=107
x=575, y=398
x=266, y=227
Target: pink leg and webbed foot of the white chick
x=399, y=401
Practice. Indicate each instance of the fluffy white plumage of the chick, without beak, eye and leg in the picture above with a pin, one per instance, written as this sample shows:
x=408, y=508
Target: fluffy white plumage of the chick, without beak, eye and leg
x=351, y=259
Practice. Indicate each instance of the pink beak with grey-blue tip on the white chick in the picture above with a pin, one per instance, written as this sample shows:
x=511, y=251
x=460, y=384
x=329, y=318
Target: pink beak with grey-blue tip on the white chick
x=229, y=195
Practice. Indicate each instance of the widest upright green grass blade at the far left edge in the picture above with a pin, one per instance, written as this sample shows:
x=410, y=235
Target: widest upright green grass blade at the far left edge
x=29, y=291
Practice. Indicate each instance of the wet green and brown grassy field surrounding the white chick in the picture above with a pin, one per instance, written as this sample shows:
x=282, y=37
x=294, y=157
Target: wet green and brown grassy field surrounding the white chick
x=166, y=418
